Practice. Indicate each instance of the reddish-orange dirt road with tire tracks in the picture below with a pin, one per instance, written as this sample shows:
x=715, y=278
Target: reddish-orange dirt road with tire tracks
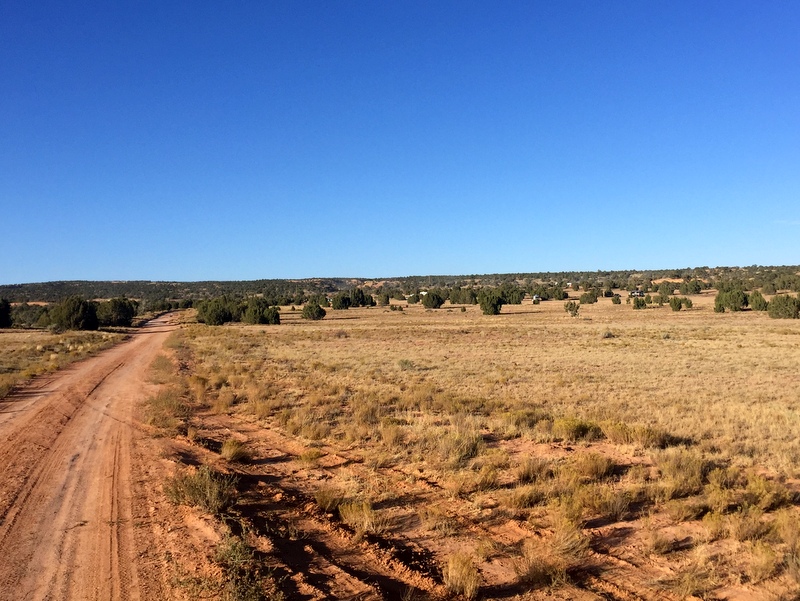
x=71, y=476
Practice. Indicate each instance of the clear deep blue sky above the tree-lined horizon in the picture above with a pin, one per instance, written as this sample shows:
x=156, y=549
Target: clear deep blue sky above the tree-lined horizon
x=245, y=140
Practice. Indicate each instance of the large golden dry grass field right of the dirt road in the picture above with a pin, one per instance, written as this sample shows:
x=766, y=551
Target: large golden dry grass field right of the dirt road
x=619, y=454
